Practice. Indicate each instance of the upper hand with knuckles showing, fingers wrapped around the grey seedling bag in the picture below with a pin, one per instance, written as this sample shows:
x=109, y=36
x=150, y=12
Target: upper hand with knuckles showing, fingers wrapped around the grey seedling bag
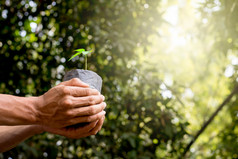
x=69, y=103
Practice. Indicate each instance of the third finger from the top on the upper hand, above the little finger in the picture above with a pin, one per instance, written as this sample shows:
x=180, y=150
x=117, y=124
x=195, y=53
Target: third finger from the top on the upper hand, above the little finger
x=89, y=110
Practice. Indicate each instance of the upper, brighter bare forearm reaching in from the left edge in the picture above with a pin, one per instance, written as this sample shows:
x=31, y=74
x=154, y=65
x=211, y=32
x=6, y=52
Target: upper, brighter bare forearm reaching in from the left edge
x=17, y=110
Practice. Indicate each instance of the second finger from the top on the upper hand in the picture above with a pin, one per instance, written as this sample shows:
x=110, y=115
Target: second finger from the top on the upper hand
x=87, y=101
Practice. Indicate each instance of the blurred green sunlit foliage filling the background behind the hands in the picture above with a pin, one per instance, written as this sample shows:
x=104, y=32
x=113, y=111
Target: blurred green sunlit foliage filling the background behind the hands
x=158, y=91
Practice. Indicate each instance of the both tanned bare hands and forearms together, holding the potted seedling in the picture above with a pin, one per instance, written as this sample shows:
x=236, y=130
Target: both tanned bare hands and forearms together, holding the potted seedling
x=66, y=104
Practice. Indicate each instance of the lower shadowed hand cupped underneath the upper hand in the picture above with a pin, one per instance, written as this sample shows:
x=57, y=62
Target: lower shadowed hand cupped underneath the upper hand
x=91, y=129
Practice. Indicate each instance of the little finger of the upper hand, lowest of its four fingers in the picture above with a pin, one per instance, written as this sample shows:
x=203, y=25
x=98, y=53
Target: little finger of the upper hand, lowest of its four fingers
x=87, y=119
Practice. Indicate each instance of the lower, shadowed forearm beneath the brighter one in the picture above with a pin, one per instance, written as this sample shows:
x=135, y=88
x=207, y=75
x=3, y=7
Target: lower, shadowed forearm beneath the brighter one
x=10, y=136
